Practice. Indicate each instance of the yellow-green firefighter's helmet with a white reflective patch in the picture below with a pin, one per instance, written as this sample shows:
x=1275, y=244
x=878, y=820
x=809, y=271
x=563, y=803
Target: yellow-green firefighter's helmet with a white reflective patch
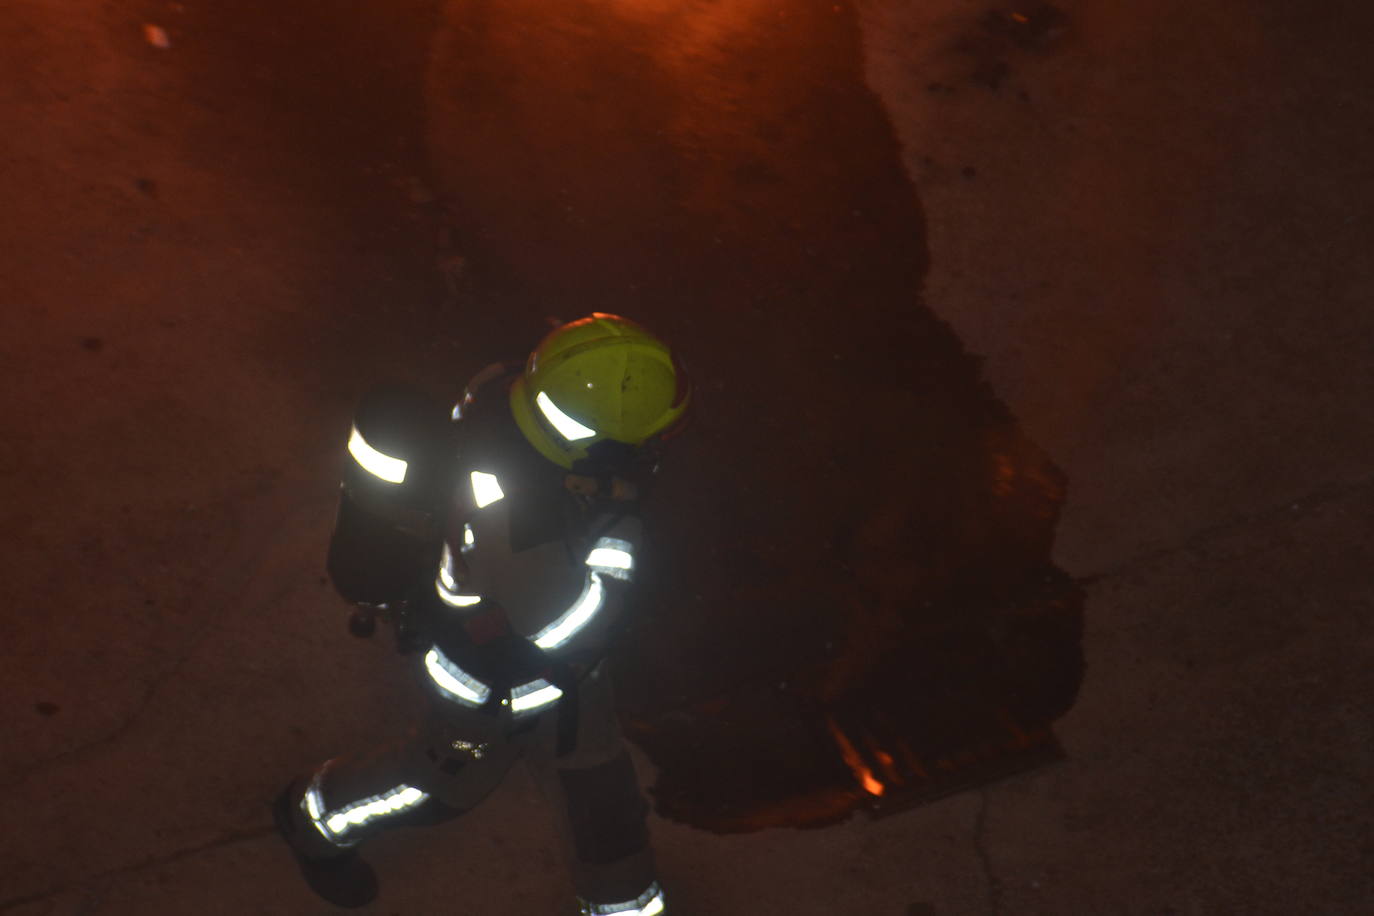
x=598, y=380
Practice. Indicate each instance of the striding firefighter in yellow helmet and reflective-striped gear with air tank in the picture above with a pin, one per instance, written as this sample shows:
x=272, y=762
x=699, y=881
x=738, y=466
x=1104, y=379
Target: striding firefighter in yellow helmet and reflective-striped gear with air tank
x=499, y=539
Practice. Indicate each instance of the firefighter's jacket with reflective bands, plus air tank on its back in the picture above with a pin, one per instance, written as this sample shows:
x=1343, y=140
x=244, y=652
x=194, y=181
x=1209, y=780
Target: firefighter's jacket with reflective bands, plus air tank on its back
x=508, y=571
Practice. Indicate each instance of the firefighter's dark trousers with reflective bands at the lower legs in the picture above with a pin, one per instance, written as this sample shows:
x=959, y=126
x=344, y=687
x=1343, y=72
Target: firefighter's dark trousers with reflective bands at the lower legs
x=455, y=757
